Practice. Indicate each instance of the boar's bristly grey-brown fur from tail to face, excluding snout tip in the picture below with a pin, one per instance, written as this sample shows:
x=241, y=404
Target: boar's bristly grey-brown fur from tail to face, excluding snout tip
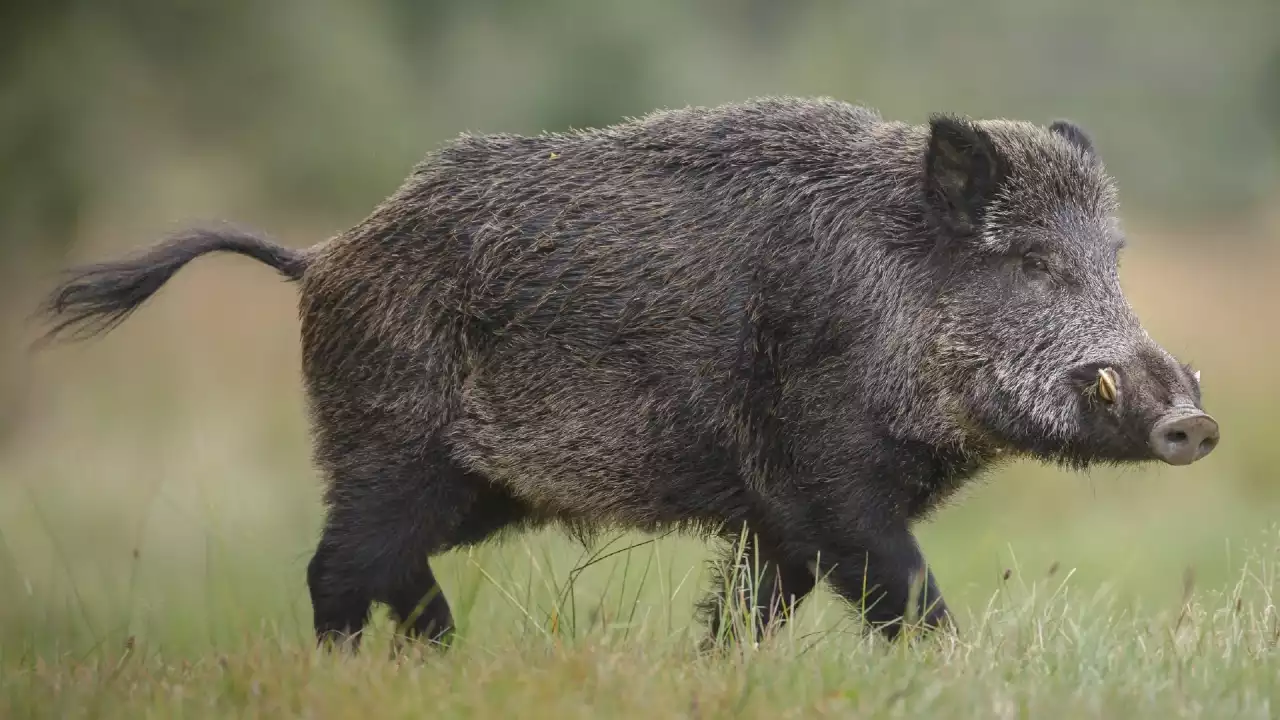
x=784, y=316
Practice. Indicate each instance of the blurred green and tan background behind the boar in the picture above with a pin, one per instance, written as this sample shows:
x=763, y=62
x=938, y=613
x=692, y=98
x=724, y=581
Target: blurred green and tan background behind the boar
x=159, y=484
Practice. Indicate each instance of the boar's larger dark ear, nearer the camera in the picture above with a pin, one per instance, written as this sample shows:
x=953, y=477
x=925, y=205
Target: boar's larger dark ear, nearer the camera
x=963, y=170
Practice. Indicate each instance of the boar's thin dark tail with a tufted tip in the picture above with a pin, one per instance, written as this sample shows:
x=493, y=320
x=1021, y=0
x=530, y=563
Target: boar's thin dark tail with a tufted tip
x=95, y=299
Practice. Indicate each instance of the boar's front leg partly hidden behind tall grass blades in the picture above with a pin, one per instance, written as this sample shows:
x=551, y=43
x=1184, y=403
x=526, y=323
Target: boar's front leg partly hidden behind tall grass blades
x=758, y=593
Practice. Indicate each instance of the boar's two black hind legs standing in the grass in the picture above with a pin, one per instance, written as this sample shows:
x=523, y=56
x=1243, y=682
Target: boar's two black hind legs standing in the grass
x=385, y=522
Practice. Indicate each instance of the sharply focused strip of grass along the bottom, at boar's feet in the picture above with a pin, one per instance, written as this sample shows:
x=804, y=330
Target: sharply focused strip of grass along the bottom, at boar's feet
x=1049, y=649
